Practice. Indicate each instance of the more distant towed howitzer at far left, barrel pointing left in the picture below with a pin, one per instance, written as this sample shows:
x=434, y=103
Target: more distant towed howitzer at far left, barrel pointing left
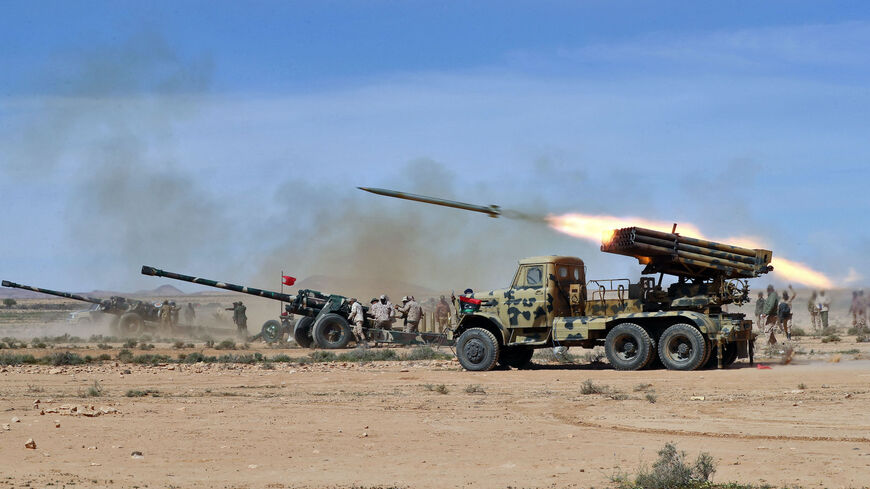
x=130, y=315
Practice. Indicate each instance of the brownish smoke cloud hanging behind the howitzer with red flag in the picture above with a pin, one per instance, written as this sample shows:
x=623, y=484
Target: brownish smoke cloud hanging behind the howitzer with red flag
x=378, y=244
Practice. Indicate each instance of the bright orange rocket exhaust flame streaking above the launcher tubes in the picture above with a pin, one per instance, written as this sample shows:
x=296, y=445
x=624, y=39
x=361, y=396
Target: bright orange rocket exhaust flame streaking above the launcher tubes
x=593, y=228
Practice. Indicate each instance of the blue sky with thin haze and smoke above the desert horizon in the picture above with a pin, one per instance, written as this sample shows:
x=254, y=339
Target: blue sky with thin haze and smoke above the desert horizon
x=226, y=139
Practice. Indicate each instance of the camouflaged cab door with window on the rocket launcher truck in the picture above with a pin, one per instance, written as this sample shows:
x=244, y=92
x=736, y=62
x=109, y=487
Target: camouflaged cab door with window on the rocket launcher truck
x=527, y=304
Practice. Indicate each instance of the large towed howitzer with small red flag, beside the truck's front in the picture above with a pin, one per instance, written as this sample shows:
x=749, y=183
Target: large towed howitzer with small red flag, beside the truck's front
x=323, y=322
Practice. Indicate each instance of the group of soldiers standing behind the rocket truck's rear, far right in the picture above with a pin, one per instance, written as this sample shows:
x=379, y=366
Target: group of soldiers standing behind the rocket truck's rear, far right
x=775, y=312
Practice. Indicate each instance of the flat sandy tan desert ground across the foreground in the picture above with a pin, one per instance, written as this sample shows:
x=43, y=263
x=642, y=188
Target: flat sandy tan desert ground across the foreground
x=424, y=423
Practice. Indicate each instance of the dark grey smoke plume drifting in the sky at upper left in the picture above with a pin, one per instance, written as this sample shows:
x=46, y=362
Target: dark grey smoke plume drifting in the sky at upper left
x=107, y=127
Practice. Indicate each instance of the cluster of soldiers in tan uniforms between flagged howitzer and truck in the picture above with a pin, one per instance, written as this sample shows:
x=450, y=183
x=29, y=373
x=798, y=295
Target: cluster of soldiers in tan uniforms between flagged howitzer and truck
x=382, y=313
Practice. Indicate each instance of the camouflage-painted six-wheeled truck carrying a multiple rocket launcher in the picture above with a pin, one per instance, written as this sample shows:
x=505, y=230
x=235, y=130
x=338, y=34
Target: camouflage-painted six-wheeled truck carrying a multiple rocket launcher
x=685, y=327
